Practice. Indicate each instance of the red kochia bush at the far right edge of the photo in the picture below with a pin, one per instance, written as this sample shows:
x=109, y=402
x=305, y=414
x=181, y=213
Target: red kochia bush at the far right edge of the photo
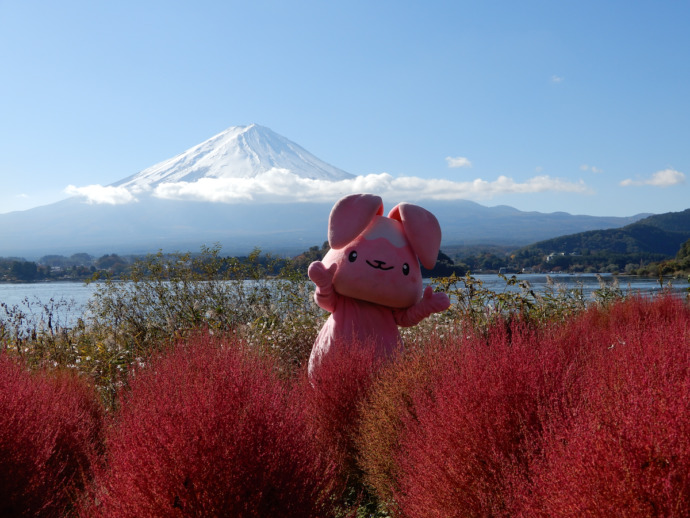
x=625, y=450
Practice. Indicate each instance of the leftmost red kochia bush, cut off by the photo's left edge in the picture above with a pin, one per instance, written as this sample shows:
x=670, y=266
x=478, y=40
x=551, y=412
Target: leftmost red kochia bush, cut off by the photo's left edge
x=50, y=429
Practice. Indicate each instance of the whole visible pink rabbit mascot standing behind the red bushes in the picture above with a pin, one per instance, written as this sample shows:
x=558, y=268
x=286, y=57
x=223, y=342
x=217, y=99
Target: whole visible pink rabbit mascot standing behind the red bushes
x=371, y=281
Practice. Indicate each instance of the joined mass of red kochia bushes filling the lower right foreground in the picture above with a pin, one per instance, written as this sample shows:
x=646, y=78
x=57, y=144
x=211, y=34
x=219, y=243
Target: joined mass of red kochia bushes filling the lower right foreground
x=586, y=418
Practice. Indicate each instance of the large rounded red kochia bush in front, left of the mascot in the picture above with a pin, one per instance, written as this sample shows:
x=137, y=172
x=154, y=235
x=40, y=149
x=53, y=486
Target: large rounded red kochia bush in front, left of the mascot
x=209, y=430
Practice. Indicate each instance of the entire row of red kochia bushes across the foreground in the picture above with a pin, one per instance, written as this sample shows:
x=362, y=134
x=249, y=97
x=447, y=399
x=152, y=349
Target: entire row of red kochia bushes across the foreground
x=584, y=417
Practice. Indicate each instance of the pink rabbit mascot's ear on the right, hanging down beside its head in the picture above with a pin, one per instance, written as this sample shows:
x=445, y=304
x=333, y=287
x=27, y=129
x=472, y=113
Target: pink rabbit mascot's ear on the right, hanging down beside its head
x=422, y=231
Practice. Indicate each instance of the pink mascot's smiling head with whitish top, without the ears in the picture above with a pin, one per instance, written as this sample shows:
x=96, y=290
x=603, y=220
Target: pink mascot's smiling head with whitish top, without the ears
x=378, y=266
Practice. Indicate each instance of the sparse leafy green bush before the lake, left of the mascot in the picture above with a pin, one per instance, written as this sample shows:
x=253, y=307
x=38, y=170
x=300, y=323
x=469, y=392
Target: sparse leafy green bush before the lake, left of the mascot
x=164, y=297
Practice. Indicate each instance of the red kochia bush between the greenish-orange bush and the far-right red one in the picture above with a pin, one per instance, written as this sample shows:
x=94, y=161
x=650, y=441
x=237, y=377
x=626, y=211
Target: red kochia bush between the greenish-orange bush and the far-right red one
x=468, y=440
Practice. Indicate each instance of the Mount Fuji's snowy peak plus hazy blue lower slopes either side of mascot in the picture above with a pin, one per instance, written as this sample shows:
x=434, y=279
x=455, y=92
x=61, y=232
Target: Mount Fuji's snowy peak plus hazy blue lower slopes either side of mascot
x=155, y=219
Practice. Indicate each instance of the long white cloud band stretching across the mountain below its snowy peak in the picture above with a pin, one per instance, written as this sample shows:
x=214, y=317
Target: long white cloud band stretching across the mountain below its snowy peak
x=281, y=185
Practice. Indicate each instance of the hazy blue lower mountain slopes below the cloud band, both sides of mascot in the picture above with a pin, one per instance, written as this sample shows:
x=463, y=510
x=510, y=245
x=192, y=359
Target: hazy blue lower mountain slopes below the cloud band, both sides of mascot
x=71, y=226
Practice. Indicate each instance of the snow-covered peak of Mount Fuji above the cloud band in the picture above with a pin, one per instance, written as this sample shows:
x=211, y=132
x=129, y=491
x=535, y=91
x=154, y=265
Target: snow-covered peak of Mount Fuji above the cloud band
x=241, y=152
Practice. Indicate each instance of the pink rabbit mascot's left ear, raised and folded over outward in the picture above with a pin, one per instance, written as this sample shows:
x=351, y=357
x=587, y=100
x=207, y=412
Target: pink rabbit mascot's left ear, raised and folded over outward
x=350, y=216
